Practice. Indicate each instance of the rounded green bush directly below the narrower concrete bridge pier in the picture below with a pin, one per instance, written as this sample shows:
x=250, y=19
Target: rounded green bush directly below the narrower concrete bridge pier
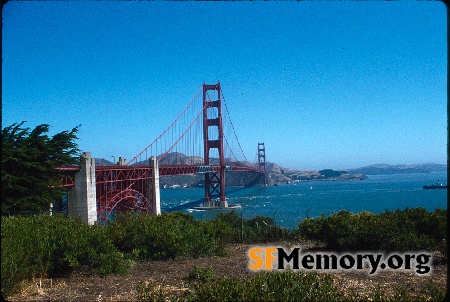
x=162, y=237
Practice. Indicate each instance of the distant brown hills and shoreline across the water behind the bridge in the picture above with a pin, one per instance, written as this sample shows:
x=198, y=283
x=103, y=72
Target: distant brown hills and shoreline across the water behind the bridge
x=277, y=174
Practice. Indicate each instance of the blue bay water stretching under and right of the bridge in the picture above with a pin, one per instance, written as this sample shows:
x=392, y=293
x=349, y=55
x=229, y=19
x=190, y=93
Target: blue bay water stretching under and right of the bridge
x=294, y=202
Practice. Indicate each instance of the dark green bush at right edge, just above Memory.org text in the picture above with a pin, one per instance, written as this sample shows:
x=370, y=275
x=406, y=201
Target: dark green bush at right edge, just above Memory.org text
x=399, y=230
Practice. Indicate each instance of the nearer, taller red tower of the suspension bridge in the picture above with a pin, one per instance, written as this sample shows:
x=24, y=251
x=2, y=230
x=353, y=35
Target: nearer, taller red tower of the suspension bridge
x=213, y=139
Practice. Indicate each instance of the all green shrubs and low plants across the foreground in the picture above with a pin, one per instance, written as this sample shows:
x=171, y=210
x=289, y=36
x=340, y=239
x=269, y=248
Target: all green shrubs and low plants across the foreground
x=49, y=246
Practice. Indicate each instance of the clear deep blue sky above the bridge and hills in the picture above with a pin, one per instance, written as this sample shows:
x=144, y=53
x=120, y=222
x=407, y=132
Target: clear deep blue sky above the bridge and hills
x=323, y=84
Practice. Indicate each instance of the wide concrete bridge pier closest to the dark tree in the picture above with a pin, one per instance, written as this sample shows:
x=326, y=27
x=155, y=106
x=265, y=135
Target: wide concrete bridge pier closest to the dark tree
x=82, y=201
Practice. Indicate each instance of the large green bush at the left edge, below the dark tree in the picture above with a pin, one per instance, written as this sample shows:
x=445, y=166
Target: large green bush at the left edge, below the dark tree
x=45, y=246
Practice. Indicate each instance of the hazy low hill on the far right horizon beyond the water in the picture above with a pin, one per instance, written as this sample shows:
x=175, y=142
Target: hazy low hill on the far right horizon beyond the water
x=381, y=169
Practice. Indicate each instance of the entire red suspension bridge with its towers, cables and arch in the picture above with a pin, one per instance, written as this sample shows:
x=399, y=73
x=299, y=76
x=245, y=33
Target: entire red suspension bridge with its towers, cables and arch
x=197, y=141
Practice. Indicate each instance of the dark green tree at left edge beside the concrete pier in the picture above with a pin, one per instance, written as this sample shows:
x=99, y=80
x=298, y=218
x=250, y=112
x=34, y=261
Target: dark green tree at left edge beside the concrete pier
x=30, y=181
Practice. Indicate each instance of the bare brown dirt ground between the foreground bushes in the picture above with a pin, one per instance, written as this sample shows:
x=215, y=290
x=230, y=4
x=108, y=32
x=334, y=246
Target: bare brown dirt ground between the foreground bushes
x=170, y=275
